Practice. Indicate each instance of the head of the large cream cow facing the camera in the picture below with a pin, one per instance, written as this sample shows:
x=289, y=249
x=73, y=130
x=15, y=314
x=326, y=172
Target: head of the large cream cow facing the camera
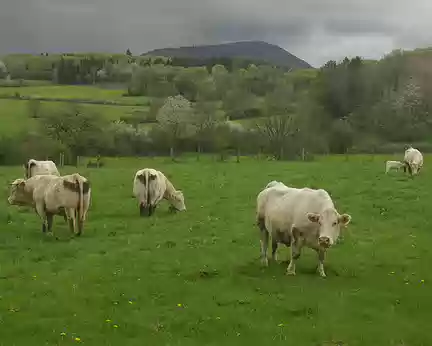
x=329, y=221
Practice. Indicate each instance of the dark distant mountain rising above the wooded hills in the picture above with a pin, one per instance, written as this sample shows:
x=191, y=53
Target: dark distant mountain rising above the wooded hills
x=253, y=50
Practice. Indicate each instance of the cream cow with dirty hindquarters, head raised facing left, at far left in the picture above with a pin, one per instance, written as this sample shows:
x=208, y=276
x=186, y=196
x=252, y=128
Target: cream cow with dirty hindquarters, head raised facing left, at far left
x=53, y=195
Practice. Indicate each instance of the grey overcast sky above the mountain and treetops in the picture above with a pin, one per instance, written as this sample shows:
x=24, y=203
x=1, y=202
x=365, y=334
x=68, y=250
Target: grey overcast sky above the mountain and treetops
x=314, y=30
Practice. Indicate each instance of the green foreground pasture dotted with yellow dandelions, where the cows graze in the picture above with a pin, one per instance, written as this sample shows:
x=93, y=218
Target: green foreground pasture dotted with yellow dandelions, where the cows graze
x=194, y=278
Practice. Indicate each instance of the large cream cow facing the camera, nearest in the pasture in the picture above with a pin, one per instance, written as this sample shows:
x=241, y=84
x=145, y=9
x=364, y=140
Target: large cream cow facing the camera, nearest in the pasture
x=298, y=217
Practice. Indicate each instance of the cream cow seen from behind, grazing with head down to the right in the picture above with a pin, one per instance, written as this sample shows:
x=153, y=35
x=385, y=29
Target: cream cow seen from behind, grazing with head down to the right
x=150, y=186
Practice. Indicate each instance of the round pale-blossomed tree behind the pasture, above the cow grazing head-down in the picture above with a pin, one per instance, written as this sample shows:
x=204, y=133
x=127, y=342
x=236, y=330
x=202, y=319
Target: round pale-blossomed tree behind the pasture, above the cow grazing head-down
x=174, y=119
